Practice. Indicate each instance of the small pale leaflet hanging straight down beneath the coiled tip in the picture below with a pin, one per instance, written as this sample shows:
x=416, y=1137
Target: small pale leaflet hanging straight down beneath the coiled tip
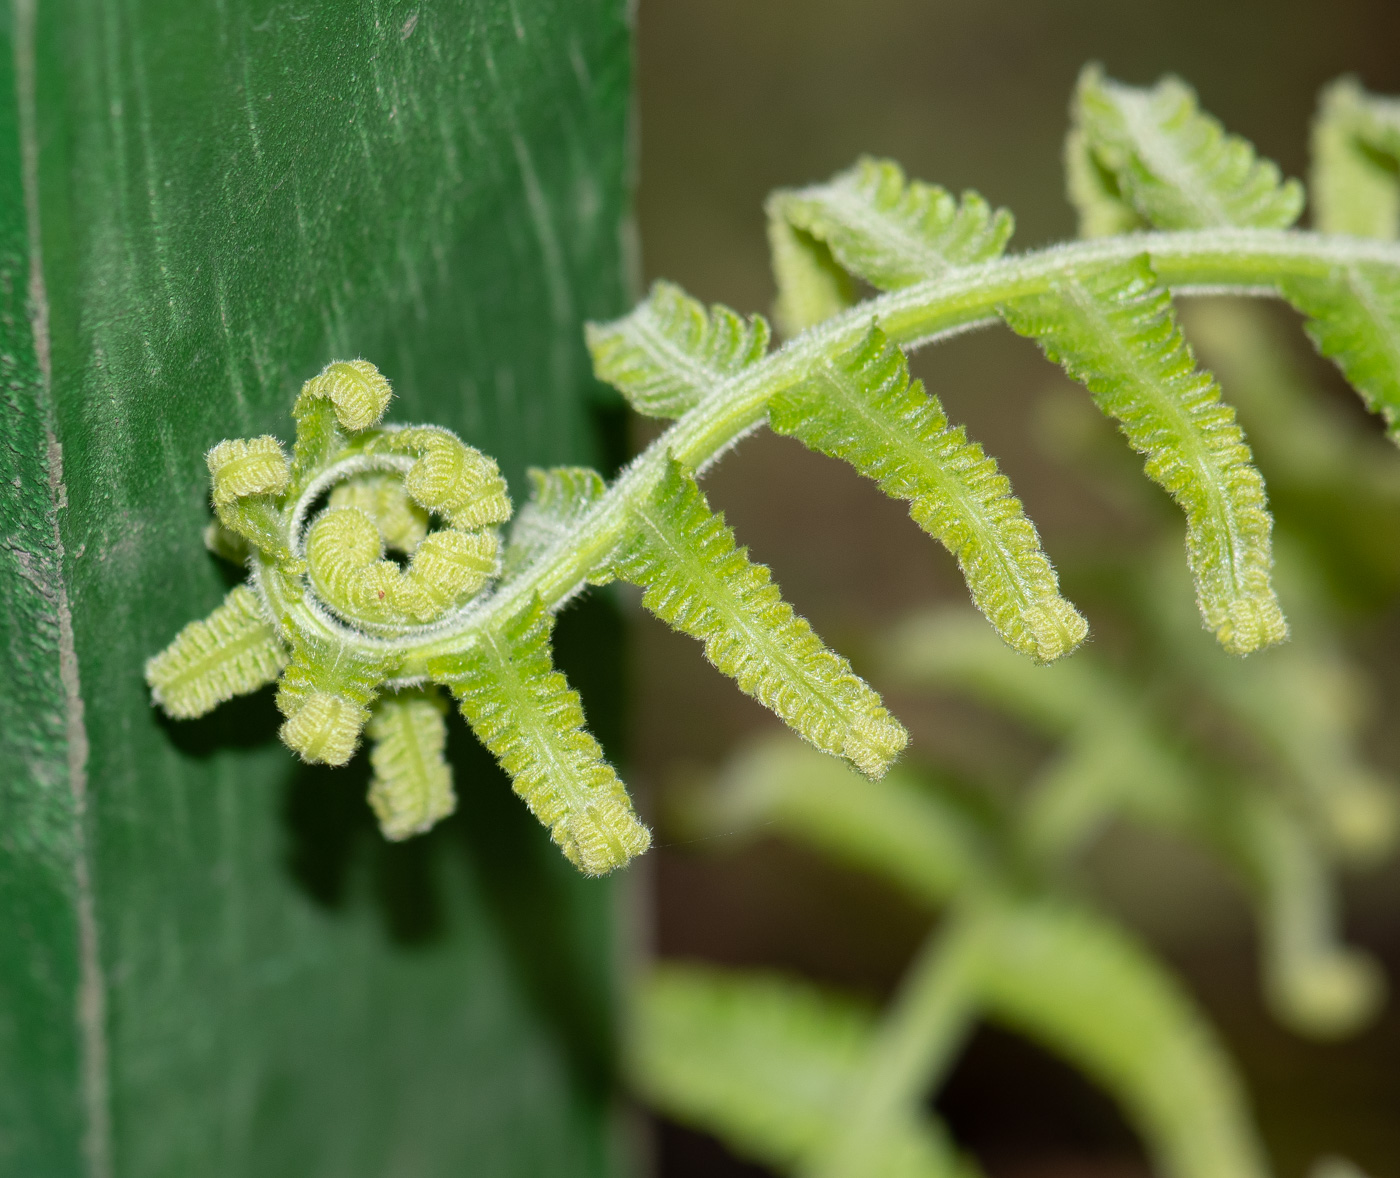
x=412, y=788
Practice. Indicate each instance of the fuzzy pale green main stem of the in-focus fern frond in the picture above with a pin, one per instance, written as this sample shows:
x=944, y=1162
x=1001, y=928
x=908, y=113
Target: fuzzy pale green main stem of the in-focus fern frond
x=1230, y=261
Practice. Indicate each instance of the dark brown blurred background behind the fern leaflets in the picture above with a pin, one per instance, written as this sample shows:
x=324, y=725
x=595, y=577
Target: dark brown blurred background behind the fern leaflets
x=738, y=99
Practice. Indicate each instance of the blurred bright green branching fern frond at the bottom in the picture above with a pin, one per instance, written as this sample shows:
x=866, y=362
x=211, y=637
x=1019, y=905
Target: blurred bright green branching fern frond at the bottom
x=755, y=1060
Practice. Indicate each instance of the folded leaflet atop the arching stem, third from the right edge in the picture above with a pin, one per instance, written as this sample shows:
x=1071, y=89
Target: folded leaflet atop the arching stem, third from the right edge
x=876, y=226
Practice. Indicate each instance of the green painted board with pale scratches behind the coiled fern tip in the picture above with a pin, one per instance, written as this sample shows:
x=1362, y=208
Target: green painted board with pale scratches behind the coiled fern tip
x=209, y=962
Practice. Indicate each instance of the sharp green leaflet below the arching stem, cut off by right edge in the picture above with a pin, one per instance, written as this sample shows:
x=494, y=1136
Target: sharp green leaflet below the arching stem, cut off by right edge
x=1354, y=320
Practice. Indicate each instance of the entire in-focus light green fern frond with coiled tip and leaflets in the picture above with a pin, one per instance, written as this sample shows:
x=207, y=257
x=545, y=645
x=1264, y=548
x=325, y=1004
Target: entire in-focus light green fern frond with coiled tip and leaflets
x=362, y=642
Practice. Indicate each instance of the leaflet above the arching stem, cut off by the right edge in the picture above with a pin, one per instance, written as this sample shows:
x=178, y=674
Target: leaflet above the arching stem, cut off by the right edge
x=1356, y=155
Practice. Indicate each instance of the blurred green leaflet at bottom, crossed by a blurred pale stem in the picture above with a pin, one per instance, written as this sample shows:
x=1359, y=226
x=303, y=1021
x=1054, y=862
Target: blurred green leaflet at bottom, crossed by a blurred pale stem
x=768, y=1065
